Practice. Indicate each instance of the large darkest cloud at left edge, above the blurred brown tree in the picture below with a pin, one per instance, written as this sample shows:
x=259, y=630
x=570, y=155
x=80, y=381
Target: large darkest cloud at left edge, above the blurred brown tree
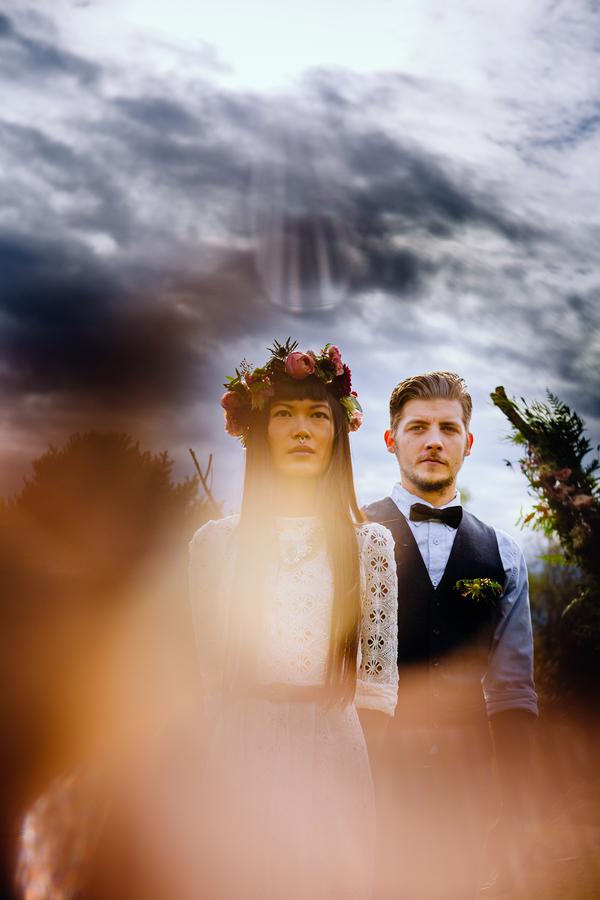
x=73, y=326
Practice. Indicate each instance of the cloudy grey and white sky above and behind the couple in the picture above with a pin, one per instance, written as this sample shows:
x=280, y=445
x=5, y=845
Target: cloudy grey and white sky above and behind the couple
x=414, y=180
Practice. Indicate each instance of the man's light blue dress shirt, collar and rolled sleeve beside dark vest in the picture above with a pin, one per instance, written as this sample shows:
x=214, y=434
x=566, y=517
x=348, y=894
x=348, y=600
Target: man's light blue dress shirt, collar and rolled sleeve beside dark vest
x=508, y=682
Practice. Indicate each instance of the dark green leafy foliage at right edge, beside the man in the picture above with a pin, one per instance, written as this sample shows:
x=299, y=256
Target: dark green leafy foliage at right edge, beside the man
x=566, y=489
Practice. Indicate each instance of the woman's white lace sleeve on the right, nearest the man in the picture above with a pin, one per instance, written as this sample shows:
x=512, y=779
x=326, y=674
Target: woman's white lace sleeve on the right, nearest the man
x=377, y=680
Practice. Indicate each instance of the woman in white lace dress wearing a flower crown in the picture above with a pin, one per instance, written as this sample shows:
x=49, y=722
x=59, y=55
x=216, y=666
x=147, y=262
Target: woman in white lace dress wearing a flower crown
x=294, y=607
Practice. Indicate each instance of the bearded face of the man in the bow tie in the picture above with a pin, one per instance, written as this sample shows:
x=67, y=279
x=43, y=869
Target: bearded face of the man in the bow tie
x=430, y=442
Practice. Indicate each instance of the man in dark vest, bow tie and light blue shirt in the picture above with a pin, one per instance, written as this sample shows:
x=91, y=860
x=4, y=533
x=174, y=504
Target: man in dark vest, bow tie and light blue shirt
x=465, y=660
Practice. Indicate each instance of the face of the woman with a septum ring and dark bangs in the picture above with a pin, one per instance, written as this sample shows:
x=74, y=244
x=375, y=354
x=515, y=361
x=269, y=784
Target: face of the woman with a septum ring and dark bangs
x=300, y=435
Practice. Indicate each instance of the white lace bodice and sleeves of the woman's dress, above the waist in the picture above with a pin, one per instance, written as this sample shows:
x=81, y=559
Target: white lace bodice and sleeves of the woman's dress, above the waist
x=294, y=643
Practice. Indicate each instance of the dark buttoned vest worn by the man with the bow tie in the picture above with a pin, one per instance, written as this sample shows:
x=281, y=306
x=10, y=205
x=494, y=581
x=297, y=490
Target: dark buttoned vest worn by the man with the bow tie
x=441, y=635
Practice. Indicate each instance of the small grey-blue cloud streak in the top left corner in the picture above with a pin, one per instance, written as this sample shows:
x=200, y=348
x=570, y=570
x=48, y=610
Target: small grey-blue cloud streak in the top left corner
x=38, y=58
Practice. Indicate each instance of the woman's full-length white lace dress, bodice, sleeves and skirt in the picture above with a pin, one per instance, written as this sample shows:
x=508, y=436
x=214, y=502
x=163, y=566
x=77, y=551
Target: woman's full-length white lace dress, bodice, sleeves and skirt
x=288, y=783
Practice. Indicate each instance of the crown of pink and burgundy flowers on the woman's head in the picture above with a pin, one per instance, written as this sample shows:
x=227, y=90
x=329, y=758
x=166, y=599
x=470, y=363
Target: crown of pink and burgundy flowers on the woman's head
x=251, y=388
